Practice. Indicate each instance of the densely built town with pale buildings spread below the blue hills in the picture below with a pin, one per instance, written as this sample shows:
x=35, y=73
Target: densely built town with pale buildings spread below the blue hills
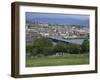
x=56, y=31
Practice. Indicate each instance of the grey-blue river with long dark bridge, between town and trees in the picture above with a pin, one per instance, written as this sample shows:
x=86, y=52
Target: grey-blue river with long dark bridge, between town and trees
x=77, y=41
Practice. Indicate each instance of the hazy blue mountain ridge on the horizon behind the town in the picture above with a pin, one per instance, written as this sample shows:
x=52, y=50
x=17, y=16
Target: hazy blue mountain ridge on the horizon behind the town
x=69, y=21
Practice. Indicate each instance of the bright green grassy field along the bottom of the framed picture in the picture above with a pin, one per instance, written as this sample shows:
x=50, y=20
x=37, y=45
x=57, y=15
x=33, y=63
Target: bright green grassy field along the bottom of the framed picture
x=68, y=59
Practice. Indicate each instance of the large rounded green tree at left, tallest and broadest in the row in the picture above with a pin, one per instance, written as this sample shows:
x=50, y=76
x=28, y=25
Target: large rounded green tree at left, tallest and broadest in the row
x=42, y=46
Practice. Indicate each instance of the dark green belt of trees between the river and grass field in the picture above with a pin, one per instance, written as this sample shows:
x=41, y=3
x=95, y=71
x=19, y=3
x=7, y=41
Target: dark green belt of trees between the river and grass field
x=44, y=47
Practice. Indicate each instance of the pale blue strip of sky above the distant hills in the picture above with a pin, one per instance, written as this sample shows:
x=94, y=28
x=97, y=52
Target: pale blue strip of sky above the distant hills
x=49, y=15
